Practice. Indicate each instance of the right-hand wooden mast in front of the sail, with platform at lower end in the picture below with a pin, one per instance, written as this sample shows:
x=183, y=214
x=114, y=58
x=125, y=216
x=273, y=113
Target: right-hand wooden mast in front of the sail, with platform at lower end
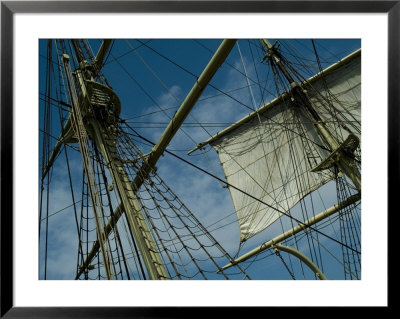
x=341, y=154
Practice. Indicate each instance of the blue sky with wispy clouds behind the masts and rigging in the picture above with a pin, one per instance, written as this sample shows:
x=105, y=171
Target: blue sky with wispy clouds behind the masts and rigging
x=142, y=106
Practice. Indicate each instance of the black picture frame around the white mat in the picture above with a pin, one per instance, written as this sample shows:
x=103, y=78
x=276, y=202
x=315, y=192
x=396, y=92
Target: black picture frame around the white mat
x=9, y=8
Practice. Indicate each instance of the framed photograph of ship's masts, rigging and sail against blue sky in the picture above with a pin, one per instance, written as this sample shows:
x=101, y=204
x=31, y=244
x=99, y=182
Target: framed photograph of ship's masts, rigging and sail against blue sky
x=195, y=159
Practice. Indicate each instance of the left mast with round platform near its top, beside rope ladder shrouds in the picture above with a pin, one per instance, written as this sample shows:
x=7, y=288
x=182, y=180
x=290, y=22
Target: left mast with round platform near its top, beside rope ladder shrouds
x=94, y=99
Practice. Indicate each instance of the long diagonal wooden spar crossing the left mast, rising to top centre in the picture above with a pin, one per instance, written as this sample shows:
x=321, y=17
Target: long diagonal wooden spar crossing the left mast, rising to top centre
x=174, y=125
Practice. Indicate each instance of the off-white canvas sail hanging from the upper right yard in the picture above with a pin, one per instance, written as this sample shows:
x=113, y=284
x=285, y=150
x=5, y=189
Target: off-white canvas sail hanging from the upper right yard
x=271, y=152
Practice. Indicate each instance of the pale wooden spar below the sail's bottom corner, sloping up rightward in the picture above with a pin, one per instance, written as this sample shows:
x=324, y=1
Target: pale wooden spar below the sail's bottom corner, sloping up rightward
x=326, y=213
